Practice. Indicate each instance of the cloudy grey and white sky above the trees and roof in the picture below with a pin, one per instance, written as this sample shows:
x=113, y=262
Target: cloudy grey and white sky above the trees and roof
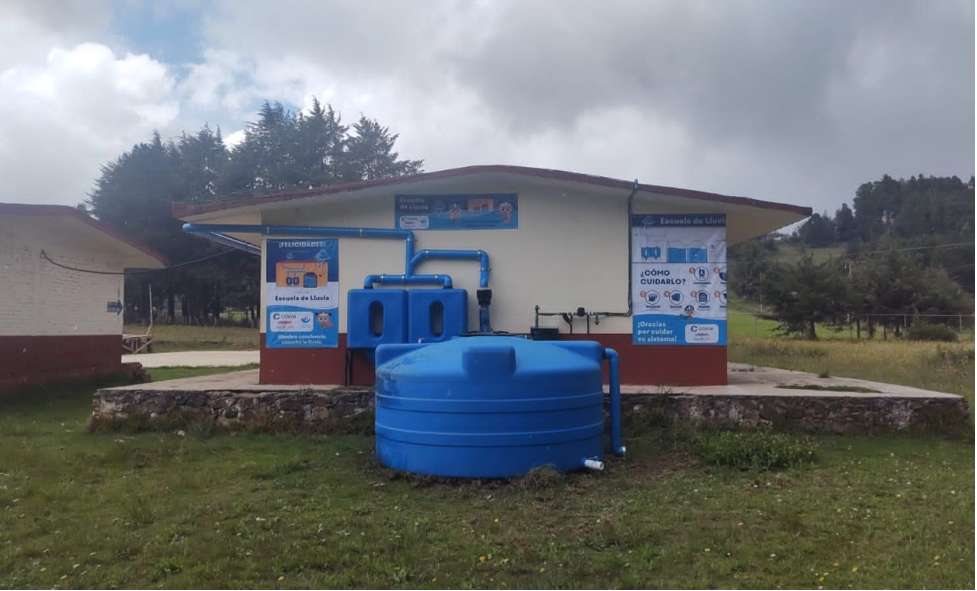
x=786, y=100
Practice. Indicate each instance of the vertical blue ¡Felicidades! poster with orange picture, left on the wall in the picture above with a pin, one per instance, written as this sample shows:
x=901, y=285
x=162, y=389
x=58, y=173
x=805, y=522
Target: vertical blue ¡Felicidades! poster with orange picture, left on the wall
x=302, y=294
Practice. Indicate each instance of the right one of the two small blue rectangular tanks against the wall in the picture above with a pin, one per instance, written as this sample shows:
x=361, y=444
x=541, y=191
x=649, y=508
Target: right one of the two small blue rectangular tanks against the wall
x=436, y=315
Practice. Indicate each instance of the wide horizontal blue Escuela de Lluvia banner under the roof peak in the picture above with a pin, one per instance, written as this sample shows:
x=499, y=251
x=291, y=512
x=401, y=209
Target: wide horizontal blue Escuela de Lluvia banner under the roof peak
x=488, y=211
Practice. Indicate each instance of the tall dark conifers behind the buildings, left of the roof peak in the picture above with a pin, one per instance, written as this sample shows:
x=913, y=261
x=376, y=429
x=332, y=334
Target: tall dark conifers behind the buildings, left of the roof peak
x=282, y=150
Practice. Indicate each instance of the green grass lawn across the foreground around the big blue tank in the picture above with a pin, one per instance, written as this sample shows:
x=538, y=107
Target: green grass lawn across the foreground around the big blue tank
x=79, y=510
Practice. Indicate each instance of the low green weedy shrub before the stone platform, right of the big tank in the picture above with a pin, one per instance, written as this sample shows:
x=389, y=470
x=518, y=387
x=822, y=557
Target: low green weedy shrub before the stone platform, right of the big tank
x=756, y=450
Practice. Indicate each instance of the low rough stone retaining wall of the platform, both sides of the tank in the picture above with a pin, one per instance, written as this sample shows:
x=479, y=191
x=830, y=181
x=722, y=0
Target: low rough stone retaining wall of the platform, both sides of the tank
x=314, y=410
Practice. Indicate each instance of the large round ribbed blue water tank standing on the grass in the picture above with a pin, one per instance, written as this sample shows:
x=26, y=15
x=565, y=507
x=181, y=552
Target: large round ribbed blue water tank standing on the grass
x=489, y=407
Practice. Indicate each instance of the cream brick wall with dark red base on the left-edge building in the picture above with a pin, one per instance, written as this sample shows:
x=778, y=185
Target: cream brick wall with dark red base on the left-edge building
x=53, y=322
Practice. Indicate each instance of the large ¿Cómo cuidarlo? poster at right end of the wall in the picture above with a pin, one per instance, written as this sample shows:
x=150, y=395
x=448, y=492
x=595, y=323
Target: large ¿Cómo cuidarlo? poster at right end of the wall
x=679, y=279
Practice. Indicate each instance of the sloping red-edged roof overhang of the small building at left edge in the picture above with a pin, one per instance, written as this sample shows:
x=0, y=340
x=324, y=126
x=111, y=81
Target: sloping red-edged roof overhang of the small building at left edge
x=63, y=221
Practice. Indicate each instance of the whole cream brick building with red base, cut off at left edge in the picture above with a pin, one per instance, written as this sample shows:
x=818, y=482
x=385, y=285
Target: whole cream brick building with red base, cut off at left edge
x=57, y=323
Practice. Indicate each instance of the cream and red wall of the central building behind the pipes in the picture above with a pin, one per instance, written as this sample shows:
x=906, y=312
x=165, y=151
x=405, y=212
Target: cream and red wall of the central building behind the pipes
x=570, y=251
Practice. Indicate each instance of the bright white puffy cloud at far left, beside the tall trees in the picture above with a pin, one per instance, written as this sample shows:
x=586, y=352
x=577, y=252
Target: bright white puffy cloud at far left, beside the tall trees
x=61, y=119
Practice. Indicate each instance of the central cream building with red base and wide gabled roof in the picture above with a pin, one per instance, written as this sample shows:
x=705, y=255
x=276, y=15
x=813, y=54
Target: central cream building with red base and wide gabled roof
x=556, y=240
